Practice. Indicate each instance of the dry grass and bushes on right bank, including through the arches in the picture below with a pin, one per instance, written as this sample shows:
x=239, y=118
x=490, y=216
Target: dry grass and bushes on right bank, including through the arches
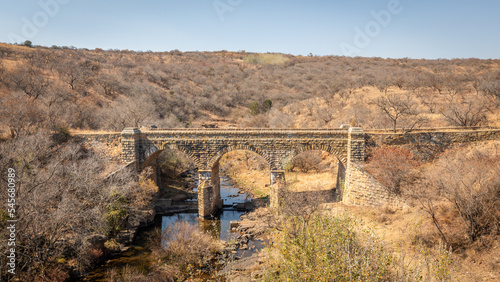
x=449, y=229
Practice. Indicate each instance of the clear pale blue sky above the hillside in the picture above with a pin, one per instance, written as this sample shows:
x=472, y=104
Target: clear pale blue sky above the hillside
x=416, y=28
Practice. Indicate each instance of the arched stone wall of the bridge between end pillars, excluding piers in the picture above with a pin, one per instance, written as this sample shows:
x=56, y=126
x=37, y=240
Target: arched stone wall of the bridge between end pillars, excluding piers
x=205, y=147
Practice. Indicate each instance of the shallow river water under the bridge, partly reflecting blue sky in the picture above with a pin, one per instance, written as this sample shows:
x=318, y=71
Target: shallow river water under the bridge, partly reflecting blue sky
x=138, y=256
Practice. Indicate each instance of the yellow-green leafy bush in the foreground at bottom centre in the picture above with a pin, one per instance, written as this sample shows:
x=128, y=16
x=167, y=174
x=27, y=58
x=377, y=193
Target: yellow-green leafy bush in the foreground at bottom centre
x=327, y=249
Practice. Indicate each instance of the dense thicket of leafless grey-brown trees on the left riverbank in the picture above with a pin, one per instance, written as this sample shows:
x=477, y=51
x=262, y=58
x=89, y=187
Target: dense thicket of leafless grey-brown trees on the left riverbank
x=67, y=201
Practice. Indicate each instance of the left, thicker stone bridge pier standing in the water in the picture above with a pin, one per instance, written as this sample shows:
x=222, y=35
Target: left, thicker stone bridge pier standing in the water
x=209, y=200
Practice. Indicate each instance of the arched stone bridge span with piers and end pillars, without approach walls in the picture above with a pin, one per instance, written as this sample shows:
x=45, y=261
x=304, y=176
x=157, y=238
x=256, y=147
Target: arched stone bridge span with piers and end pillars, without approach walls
x=206, y=146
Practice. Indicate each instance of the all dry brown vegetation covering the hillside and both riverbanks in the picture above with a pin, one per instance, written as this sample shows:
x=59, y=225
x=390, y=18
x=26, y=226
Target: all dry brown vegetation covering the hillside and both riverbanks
x=453, y=197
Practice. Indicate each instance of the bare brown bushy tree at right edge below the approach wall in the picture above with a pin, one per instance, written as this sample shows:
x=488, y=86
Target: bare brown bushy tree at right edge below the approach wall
x=469, y=178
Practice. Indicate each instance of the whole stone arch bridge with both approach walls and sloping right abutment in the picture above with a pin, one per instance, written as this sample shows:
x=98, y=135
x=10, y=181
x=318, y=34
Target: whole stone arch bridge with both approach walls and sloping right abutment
x=206, y=146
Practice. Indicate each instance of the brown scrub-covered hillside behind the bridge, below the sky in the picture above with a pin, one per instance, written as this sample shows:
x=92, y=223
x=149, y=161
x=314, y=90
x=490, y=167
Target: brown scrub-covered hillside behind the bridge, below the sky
x=62, y=87
